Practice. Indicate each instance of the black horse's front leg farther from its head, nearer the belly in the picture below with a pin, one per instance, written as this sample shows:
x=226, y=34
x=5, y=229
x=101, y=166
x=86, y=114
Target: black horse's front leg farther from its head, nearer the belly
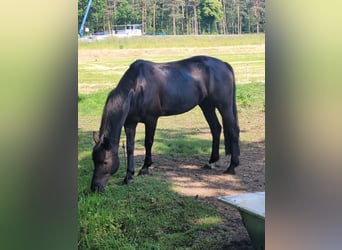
x=150, y=129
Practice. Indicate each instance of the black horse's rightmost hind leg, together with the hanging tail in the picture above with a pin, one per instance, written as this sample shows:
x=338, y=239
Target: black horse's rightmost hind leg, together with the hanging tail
x=231, y=138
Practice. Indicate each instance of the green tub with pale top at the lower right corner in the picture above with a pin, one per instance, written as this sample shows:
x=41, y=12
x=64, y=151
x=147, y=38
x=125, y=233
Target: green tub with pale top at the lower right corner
x=252, y=209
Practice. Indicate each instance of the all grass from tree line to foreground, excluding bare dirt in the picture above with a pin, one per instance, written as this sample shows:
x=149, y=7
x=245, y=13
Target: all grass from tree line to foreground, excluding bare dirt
x=149, y=214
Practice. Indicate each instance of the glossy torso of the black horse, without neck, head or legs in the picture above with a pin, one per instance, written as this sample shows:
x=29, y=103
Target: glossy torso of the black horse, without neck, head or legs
x=178, y=86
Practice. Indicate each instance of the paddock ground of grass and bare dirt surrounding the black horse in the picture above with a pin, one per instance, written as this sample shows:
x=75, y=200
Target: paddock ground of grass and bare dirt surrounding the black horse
x=182, y=146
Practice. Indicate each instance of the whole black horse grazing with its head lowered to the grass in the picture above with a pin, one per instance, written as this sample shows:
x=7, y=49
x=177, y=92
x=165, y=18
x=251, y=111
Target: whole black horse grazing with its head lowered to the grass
x=149, y=90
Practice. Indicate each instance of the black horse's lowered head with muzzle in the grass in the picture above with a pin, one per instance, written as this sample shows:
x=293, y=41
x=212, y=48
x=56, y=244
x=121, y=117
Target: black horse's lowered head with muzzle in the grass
x=106, y=162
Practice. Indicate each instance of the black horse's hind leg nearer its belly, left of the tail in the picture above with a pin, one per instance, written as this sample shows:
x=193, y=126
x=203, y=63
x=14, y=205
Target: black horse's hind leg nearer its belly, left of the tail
x=215, y=128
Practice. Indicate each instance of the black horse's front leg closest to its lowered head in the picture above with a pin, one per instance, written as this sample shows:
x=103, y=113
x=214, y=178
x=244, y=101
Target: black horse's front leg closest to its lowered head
x=130, y=137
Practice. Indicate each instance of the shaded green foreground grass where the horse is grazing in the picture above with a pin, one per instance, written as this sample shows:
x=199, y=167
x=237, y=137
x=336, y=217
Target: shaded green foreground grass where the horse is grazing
x=145, y=215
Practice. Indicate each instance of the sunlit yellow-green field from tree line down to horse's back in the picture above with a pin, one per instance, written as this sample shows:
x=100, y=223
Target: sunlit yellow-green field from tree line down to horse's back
x=101, y=63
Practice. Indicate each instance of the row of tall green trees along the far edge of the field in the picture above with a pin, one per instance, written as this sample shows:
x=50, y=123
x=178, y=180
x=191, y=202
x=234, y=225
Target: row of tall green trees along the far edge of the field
x=176, y=17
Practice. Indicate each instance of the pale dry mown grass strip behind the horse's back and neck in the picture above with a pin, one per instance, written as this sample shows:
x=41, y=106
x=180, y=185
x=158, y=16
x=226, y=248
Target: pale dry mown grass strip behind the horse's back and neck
x=100, y=70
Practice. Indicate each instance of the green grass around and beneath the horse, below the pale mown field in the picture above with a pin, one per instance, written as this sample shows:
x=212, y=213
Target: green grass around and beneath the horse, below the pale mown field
x=149, y=214
